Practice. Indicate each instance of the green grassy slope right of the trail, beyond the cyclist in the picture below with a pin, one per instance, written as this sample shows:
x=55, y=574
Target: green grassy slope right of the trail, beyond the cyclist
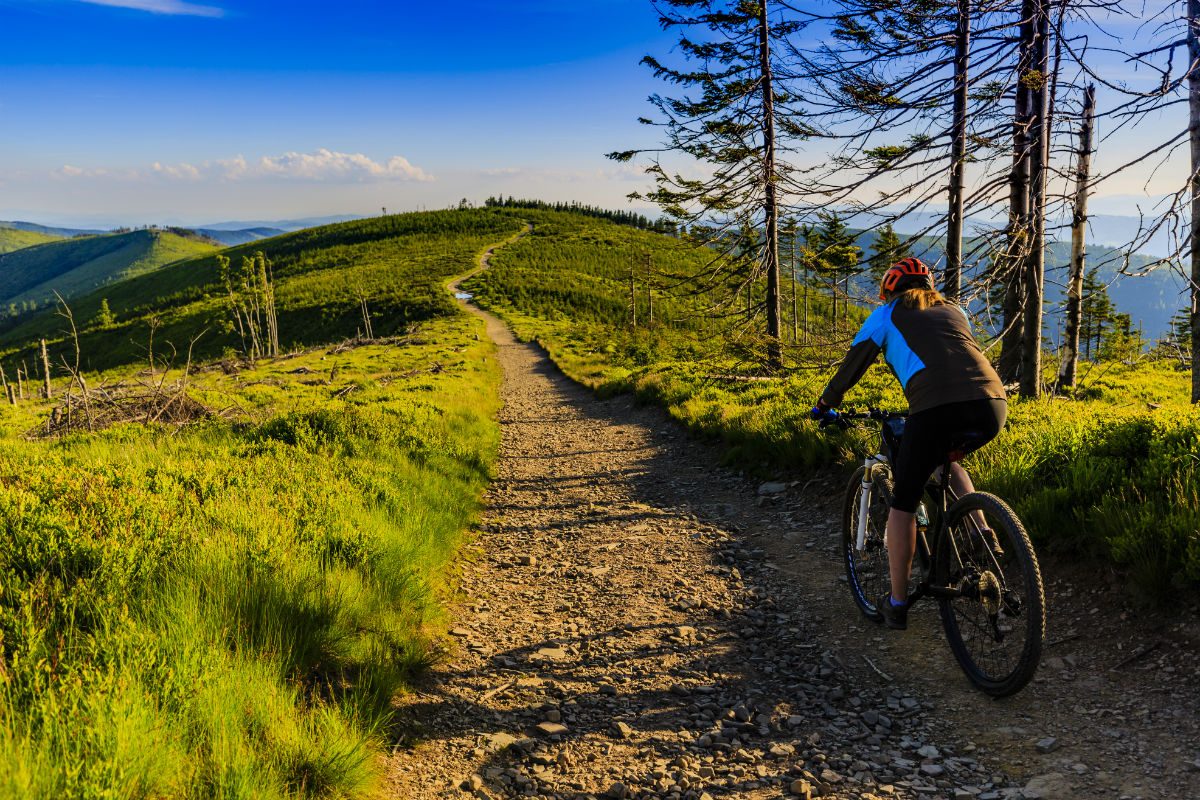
x=1108, y=474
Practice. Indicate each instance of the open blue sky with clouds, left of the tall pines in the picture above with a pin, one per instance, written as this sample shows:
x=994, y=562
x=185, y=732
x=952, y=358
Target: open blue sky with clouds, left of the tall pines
x=129, y=112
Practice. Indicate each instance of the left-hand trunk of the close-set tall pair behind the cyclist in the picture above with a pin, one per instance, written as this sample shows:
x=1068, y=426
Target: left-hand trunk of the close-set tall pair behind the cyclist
x=1019, y=224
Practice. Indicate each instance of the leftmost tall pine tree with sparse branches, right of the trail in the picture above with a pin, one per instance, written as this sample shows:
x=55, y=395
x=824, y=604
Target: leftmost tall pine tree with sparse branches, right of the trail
x=735, y=118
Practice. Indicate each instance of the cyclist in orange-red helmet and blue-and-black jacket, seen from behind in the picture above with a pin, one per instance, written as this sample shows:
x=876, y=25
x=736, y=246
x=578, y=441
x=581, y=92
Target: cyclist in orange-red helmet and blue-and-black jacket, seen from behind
x=957, y=402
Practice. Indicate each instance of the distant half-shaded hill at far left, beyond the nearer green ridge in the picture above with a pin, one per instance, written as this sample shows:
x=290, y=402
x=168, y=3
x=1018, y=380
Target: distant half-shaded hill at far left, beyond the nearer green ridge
x=31, y=276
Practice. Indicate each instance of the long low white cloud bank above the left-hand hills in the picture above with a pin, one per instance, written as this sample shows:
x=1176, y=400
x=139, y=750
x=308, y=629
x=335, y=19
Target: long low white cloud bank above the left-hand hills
x=323, y=166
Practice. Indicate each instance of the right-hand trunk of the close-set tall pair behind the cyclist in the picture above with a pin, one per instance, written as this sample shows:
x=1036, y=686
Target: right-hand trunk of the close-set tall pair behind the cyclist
x=1036, y=257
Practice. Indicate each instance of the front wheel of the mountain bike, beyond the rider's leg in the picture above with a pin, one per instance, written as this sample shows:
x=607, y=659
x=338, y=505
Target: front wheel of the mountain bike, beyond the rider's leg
x=867, y=570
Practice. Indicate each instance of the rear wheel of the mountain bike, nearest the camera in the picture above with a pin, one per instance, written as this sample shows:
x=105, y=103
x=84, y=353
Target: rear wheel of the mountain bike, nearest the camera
x=997, y=624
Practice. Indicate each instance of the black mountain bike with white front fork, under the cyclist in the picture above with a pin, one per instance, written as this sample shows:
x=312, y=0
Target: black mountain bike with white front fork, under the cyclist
x=974, y=558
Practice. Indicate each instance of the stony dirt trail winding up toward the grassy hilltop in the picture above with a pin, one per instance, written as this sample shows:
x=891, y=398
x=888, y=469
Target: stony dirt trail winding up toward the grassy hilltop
x=640, y=623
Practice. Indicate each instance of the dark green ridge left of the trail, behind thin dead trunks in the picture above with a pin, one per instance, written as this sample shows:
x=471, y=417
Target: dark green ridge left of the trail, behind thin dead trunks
x=398, y=262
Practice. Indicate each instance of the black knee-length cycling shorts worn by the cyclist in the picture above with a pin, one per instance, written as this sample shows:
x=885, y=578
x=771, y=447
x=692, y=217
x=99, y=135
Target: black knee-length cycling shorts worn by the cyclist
x=931, y=435
